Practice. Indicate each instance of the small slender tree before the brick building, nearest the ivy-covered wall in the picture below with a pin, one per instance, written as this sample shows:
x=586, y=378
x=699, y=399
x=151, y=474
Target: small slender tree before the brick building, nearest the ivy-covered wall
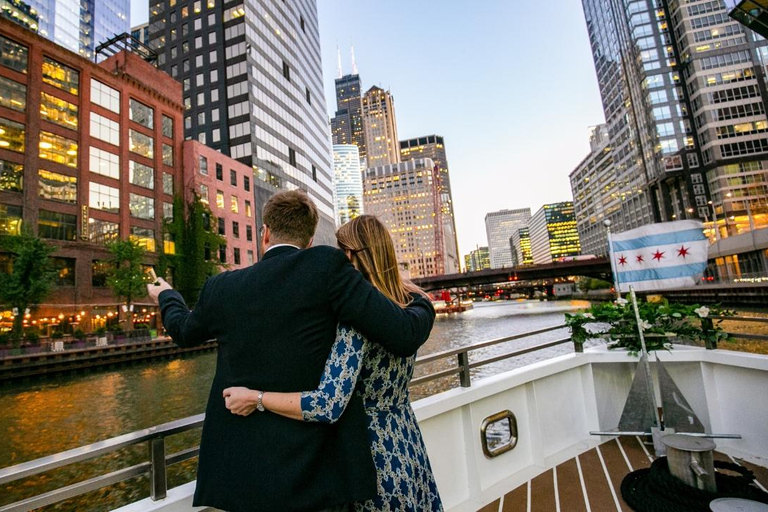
x=126, y=276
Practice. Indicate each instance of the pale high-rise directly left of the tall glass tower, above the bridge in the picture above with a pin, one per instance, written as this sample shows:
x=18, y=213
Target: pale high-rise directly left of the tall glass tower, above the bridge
x=594, y=189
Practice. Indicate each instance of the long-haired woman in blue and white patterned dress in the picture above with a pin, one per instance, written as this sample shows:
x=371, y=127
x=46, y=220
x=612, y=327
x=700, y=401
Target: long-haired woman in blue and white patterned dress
x=404, y=477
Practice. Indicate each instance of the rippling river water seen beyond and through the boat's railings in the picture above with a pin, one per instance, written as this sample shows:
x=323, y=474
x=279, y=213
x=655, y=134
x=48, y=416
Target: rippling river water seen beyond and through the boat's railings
x=49, y=416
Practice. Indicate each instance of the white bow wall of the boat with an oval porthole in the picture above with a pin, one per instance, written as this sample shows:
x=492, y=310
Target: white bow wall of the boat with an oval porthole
x=557, y=402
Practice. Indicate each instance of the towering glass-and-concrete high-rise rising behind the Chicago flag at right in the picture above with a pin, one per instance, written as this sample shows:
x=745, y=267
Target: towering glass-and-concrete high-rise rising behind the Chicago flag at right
x=684, y=109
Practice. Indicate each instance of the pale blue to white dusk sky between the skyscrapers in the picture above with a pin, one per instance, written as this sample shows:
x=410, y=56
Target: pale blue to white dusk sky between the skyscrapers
x=511, y=88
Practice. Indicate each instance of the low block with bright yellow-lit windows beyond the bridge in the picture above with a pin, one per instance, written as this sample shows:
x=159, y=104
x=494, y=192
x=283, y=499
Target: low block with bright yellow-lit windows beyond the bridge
x=553, y=235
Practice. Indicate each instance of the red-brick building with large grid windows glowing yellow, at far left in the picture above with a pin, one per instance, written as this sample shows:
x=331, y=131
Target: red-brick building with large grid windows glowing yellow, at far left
x=88, y=153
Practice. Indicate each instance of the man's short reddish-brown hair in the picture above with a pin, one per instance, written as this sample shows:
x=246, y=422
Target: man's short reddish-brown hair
x=291, y=217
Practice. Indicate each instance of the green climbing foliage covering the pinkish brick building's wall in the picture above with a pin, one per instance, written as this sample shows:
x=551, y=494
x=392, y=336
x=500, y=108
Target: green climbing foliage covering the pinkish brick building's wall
x=193, y=229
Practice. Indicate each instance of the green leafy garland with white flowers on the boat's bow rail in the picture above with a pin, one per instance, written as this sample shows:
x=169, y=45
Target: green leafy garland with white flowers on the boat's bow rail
x=661, y=322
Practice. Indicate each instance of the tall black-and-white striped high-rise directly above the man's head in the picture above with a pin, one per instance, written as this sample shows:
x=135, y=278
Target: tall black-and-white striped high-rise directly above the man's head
x=252, y=84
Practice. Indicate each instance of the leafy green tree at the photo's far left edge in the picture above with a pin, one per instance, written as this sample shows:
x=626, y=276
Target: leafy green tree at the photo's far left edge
x=30, y=279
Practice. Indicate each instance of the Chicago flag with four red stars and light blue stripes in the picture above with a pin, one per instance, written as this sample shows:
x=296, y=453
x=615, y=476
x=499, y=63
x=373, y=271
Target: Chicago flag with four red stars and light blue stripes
x=659, y=256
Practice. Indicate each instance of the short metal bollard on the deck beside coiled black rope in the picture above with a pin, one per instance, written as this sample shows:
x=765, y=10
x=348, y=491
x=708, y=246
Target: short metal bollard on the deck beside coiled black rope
x=691, y=460
